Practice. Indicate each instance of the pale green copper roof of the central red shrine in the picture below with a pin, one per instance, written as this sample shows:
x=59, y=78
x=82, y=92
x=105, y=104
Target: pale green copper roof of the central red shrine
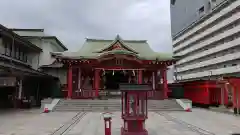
x=94, y=48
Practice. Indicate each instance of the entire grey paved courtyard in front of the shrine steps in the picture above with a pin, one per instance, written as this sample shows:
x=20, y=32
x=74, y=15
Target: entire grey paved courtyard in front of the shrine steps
x=198, y=122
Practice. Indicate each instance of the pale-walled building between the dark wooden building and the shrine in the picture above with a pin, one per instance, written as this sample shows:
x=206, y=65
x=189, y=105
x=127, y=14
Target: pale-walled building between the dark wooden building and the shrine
x=48, y=44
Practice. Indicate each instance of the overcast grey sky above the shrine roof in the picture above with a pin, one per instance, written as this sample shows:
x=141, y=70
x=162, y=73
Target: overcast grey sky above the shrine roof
x=74, y=20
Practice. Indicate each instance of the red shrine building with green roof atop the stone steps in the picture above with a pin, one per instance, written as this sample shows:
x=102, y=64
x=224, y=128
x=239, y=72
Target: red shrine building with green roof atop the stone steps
x=101, y=65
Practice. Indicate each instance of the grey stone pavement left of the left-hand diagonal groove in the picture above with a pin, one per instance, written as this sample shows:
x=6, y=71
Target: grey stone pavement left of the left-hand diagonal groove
x=32, y=122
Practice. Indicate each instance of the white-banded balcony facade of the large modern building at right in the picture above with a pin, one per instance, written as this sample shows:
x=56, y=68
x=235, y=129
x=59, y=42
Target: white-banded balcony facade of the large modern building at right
x=211, y=48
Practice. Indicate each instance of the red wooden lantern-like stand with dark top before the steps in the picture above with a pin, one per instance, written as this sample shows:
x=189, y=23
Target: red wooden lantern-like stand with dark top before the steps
x=134, y=108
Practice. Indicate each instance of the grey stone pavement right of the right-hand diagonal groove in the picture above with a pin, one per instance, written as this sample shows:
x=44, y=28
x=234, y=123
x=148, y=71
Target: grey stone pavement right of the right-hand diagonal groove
x=218, y=123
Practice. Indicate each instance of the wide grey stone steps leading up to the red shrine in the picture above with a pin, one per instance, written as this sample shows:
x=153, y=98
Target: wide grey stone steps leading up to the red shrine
x=112, y=105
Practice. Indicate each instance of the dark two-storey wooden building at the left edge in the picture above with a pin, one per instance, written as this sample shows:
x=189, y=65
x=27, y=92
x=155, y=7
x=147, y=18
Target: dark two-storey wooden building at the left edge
x=20, y=82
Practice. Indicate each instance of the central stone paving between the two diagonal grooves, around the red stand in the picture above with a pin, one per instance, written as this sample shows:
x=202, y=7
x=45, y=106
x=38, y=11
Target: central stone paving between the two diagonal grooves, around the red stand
x=93, y=124
